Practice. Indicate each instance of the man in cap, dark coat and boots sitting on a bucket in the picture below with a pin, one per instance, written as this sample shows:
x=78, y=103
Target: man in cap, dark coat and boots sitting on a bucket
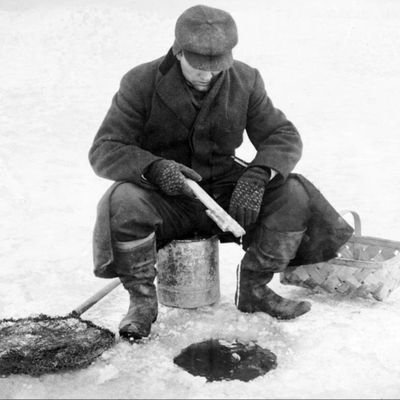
x=182, y=116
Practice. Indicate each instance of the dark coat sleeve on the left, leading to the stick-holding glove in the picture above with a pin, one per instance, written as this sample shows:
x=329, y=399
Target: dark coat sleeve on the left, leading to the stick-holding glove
x=116, y=151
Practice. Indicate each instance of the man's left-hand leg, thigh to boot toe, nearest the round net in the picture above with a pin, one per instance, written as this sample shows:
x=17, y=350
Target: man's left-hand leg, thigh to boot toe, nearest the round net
x=139, y=218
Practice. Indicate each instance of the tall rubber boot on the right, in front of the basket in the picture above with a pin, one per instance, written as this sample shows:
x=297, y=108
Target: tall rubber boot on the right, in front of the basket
x=257, y=269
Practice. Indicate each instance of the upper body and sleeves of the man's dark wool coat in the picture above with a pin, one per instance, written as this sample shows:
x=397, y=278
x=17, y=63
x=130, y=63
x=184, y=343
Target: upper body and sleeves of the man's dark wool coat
x=152, y=116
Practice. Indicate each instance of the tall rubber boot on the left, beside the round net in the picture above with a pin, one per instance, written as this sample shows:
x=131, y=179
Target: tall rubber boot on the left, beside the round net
x=135, y=265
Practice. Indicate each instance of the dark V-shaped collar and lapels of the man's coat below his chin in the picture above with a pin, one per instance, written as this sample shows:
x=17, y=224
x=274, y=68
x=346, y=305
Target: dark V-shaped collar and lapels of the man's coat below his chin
x=171, y=87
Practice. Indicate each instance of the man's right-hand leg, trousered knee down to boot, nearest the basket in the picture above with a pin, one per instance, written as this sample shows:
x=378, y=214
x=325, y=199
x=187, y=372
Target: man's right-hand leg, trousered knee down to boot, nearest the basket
x=279, y=231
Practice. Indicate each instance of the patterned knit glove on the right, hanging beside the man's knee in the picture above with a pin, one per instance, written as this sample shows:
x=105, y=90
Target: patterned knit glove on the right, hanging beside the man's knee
x=247, y=196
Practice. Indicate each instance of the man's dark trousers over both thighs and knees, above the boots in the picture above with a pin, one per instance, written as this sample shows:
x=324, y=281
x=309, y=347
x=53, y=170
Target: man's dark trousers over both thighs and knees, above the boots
x=136, y=212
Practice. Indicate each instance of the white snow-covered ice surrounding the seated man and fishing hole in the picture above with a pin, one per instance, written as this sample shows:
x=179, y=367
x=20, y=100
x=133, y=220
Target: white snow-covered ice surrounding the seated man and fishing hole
x=332, y=67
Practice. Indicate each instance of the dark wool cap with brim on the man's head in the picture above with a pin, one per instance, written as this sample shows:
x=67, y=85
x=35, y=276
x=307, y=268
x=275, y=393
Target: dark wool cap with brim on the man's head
x=206, y=36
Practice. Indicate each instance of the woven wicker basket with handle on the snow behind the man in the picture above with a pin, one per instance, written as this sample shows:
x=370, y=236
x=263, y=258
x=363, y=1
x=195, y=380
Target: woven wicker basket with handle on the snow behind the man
x=365, y=266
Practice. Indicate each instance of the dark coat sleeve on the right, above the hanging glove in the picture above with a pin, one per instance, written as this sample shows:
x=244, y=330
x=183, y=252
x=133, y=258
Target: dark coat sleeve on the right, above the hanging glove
x=275, y=138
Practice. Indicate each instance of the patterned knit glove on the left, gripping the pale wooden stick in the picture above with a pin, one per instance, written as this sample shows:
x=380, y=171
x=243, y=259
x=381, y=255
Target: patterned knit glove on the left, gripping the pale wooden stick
x=169, y=176
